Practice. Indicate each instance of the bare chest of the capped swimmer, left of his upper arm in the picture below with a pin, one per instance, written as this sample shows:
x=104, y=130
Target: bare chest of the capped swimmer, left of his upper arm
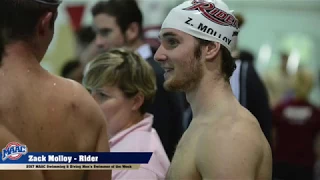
x=183, y=165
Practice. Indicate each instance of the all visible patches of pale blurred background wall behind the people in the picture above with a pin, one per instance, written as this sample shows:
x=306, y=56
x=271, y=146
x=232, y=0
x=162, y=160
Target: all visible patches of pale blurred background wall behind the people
x=272, y=26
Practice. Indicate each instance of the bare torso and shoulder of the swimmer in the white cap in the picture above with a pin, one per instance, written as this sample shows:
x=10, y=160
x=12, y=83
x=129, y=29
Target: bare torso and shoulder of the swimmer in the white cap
x=226, y=145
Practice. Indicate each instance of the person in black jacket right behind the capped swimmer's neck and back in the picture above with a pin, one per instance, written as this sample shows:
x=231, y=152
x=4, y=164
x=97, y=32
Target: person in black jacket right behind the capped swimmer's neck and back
x=249, y=88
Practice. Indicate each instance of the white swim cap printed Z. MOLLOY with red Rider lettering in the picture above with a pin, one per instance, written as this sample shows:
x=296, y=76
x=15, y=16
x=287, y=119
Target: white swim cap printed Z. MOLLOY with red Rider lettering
x=205, y=19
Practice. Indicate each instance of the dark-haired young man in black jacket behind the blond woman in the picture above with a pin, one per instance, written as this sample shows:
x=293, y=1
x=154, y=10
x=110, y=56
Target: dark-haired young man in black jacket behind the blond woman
x=118, y=23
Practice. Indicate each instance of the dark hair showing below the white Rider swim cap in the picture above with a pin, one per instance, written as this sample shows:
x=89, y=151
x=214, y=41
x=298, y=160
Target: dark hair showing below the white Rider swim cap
x=227, y=61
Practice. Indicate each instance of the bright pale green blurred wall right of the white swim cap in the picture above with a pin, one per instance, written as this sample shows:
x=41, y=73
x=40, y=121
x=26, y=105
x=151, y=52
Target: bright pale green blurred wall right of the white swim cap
x=281, y=26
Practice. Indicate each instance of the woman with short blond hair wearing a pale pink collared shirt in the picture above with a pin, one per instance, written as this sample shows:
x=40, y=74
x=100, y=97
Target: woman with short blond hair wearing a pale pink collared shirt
x=124, y=85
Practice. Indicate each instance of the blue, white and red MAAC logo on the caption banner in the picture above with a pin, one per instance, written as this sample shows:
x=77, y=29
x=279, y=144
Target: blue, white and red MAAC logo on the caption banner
x=14, y=151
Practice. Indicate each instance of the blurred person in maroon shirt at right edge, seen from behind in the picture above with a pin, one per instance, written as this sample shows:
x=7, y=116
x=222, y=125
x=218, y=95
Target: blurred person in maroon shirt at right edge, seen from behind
x=296, y=126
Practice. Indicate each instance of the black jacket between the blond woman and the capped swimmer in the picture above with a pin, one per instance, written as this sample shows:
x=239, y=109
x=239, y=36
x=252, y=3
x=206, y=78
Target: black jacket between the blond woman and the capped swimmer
x=167, y=111
